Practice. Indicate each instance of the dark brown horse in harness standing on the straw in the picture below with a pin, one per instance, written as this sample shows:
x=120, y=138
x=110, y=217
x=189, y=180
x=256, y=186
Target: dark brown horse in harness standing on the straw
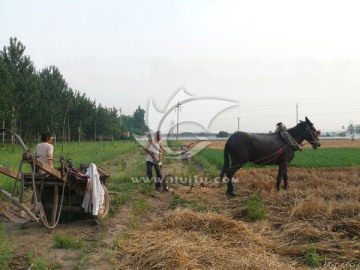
x=266, y=149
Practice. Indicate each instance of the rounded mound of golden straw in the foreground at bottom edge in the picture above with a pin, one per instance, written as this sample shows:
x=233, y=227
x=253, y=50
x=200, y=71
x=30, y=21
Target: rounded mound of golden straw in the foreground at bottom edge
x=184, y=239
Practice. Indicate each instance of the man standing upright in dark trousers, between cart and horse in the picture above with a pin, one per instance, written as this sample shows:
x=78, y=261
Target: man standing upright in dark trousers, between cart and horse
x=153, y=158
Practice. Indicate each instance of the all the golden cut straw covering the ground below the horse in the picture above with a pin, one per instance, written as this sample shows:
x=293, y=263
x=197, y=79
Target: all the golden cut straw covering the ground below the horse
x=320, y=212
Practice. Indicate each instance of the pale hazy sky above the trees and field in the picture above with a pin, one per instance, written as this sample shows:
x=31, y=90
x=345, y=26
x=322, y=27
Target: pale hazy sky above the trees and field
x=277, y=61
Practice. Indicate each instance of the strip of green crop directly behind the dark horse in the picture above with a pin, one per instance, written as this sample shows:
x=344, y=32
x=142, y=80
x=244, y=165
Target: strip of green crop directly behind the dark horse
x=308, y=158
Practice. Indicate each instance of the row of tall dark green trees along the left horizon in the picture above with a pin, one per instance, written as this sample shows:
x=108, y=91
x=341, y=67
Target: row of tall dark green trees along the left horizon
x=33, y=101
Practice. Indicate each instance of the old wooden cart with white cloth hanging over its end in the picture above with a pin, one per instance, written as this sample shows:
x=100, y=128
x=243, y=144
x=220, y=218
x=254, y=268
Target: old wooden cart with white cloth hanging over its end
x=42, y=197
